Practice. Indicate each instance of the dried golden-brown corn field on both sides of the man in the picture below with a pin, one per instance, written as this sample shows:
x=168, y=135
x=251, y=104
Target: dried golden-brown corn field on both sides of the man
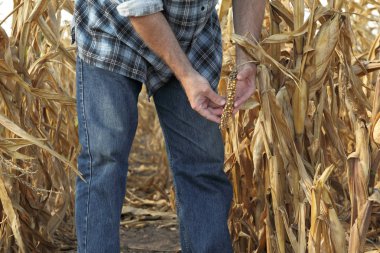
x=303, y=155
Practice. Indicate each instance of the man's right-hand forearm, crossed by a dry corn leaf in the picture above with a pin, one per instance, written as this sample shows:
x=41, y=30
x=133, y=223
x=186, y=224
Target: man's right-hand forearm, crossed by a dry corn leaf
x=248, y=19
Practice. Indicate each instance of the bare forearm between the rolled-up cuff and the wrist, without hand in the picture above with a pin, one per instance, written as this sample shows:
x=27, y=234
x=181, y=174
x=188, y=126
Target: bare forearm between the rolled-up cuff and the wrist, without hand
x=155, y=31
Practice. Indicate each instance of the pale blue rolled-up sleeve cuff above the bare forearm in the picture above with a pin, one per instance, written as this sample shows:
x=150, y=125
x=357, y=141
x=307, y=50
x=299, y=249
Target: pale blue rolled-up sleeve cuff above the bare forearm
x=136, y=8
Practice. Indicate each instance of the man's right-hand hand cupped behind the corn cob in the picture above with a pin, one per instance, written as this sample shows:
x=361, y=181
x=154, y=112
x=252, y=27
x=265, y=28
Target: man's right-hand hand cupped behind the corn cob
x=245, y=84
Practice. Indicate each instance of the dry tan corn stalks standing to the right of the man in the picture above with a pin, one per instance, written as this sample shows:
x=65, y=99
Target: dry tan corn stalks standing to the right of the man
x=304, y=157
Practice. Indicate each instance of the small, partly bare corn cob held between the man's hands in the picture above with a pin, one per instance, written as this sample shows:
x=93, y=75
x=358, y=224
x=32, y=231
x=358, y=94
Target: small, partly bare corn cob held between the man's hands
x=229, y=107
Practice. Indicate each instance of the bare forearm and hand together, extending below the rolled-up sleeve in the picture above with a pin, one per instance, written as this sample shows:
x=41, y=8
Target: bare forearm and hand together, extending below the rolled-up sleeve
x=156, y=32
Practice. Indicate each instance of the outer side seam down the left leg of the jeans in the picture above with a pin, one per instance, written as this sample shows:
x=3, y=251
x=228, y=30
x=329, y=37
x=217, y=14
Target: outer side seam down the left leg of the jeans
x=89, y=155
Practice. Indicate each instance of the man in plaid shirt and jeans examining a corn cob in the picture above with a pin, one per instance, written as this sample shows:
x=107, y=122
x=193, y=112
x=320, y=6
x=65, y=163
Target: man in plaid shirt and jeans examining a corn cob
x=174, y=48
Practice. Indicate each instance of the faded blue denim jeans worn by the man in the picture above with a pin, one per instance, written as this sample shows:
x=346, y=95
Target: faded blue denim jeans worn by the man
x=107, y=113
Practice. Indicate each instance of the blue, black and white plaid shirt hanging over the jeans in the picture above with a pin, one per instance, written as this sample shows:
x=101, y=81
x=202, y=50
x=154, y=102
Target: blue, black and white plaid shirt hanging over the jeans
x=106, y=38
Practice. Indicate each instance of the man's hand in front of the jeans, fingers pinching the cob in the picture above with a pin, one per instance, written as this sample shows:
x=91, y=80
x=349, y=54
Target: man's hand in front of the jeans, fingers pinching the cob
x=202, y=98
